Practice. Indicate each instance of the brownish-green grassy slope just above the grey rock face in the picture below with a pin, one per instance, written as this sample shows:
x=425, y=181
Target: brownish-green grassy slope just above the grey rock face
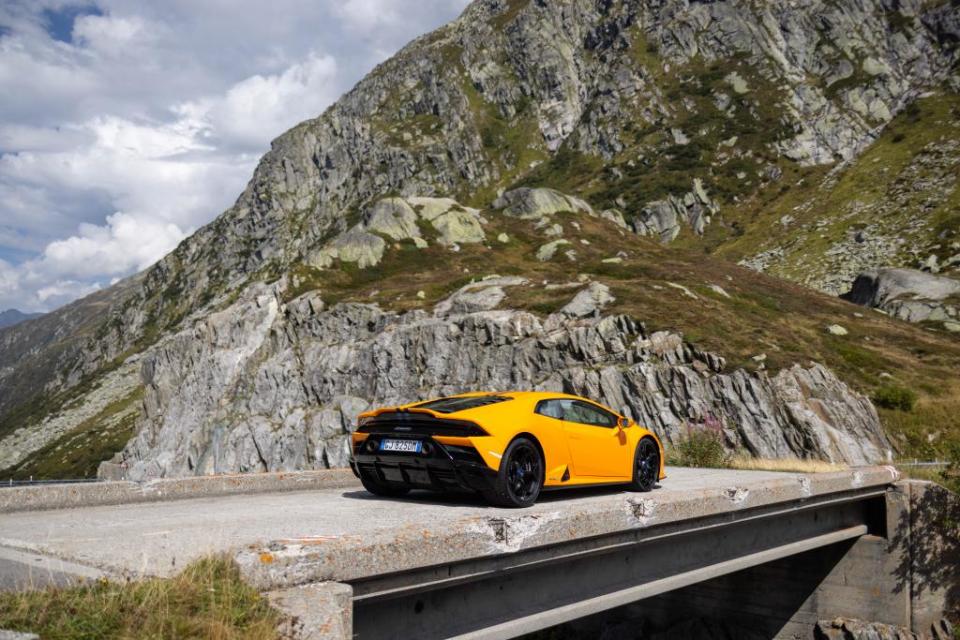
x=784, y=321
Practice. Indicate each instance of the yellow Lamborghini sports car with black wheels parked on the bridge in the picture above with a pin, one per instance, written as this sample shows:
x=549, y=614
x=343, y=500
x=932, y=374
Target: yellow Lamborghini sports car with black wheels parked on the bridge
x=508, y=446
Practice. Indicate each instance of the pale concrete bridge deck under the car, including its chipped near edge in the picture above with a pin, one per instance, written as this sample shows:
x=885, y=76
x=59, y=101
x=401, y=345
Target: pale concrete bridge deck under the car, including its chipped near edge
x=338, y=534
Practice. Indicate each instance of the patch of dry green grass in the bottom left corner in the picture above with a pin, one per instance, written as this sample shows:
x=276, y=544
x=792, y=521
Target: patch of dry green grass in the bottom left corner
x=208, y=600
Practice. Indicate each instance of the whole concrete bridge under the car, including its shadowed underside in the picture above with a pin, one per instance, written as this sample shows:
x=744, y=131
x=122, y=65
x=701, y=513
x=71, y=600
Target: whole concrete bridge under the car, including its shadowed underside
x=774, y=551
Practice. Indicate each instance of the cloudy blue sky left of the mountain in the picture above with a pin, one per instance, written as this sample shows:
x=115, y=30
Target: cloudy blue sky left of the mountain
x=125, y=126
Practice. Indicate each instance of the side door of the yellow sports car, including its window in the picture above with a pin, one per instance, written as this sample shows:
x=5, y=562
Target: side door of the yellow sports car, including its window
x=597, y=446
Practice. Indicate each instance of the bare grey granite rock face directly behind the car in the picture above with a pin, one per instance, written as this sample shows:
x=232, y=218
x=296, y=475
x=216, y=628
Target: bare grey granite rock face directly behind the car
x=267, y=386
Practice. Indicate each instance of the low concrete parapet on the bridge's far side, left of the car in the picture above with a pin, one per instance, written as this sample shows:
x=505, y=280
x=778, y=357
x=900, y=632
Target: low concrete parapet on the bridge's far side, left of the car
x=59, y=496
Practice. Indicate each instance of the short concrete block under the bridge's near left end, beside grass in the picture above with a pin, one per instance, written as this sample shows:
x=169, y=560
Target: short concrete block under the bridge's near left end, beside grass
x=320, y=611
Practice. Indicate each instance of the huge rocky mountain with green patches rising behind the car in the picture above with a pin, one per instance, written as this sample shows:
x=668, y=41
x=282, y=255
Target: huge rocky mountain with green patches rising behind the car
x=675, y=122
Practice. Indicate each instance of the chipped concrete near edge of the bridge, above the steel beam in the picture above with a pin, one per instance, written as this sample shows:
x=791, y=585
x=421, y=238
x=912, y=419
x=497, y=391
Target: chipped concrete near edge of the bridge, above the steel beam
x=286, y=563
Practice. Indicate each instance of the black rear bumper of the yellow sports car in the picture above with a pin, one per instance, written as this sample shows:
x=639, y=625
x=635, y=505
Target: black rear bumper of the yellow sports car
x=445, y=468
